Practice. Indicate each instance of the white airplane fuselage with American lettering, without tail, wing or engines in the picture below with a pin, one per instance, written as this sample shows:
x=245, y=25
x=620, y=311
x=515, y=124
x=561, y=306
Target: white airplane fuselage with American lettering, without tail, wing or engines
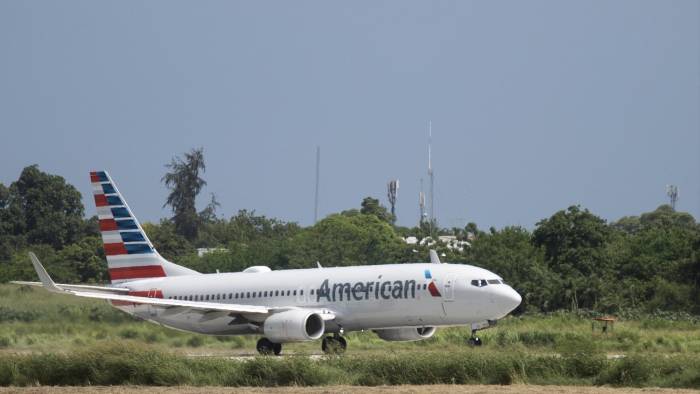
x=360, y=297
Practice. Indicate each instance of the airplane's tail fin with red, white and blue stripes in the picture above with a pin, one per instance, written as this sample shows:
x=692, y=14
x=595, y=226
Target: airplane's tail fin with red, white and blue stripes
x=130, y=254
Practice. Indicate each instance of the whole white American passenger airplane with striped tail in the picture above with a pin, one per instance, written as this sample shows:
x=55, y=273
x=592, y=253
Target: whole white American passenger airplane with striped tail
x=399, y=302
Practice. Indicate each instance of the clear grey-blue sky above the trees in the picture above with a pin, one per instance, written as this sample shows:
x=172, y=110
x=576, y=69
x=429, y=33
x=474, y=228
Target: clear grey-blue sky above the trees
x=535, y=105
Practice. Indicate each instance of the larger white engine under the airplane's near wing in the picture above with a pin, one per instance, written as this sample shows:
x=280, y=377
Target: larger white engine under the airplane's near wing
x=293, y=326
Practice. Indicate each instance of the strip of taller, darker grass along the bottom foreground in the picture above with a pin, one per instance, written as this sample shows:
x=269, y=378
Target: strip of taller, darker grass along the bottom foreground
x=119, y=364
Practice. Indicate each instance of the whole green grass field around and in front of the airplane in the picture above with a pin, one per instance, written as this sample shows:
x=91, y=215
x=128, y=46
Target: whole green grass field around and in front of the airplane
x=64, y=340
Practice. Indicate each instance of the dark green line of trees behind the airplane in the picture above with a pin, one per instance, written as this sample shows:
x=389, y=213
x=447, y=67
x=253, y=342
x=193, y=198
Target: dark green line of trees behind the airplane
x=571, y=260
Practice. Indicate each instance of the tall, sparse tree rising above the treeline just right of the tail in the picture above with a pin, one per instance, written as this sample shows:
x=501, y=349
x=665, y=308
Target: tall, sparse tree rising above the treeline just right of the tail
x=184, y=183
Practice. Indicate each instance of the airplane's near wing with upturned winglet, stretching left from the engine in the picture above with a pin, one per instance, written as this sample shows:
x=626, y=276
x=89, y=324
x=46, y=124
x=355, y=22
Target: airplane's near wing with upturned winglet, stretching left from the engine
x=171, y=306
